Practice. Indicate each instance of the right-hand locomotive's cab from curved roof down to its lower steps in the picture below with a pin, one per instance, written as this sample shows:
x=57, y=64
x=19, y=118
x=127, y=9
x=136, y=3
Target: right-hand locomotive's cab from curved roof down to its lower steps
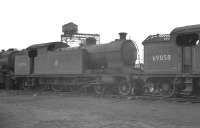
x=187, y=40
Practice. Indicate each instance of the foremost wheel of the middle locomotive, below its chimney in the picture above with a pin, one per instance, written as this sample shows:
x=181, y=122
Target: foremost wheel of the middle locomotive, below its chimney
x=124, y=88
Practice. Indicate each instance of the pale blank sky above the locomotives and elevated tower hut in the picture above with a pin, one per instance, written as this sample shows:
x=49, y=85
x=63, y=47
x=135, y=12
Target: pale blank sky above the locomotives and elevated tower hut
x=26, y=22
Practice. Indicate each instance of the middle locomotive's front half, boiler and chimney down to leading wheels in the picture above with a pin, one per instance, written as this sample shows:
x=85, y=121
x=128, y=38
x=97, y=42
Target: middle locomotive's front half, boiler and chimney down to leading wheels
x=114, y=62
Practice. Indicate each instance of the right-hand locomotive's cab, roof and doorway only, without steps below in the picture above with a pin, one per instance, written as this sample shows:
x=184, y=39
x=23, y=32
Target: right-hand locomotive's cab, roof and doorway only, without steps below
x=187, y=41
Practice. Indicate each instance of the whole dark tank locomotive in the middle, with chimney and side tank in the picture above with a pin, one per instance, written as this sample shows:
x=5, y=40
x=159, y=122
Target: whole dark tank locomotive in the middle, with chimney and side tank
x=64, y=68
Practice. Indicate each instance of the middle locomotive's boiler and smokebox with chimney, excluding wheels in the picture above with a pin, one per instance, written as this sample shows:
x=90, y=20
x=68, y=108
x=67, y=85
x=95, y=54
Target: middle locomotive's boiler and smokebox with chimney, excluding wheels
x=118, y=54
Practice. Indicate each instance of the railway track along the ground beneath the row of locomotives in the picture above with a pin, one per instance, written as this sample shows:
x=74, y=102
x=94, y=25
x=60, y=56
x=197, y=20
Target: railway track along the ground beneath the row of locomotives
x=146, y=97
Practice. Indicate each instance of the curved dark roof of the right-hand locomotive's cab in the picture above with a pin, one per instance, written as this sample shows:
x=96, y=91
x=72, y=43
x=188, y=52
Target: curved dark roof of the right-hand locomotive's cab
x=186, y=29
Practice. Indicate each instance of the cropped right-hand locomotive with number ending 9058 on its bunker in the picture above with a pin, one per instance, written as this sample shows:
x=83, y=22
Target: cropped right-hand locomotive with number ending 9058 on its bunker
x=172, y=61
